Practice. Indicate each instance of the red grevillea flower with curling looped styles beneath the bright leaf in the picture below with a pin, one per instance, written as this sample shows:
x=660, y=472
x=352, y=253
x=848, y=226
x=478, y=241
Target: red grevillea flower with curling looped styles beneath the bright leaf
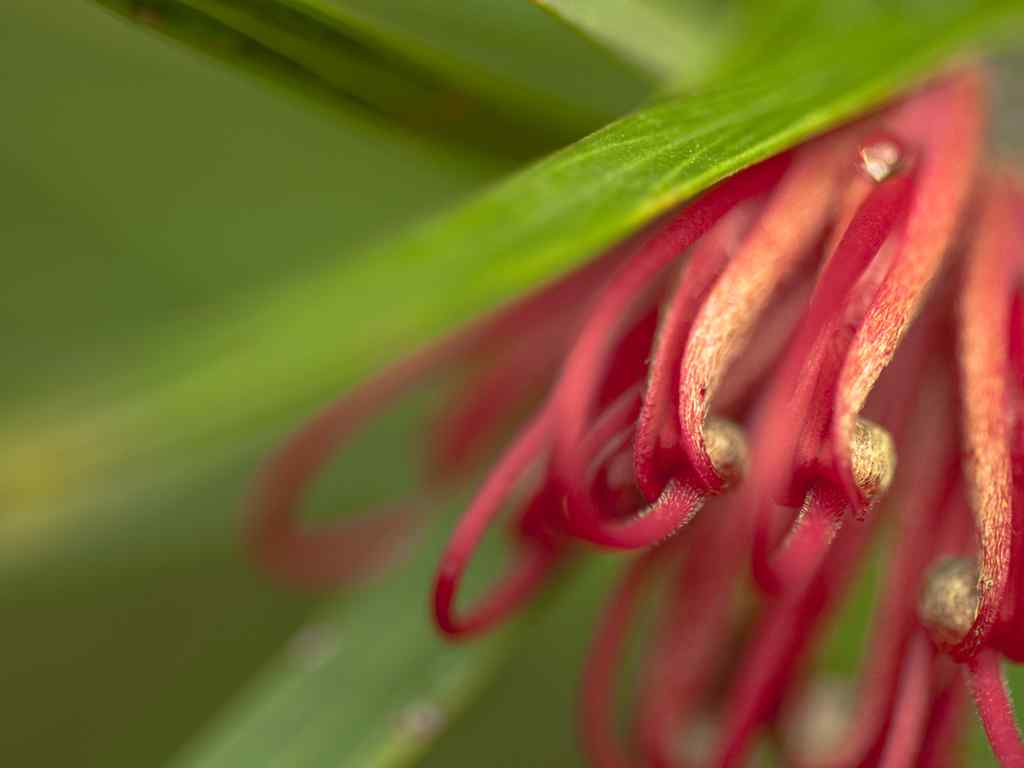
x=729, y=395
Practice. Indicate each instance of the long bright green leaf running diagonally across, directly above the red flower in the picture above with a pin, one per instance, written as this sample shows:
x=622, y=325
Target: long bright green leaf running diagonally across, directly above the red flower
x=307, y=337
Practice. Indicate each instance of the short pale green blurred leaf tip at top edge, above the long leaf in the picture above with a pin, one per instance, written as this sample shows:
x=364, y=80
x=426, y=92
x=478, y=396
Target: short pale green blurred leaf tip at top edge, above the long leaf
x=678, y=41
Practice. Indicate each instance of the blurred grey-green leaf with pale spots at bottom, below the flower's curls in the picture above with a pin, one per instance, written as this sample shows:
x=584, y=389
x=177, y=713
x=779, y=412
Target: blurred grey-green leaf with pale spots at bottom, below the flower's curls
x=368, y=682
